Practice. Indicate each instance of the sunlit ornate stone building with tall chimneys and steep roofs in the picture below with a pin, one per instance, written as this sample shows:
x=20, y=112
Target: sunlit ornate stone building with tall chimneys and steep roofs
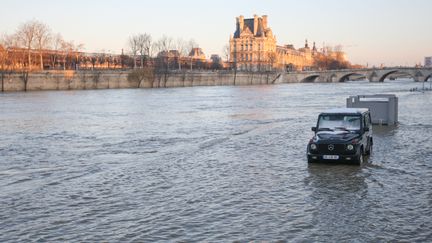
x=253, y=48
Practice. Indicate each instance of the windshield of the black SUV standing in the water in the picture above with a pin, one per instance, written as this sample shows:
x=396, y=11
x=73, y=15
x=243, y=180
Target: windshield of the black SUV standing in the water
x=334, y=122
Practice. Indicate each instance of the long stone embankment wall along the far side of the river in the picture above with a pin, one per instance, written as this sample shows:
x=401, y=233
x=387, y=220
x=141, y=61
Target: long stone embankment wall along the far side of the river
x=88, y=79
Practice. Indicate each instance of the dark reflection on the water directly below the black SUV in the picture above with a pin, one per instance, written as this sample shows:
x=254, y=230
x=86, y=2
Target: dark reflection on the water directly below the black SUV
x=338, y=193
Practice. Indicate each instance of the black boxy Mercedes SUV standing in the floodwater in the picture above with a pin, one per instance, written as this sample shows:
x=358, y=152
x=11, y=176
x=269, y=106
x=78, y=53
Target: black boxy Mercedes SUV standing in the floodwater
x=342, y=135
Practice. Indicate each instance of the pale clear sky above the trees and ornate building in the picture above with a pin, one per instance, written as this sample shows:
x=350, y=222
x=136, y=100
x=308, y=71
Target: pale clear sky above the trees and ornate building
x=389, y=32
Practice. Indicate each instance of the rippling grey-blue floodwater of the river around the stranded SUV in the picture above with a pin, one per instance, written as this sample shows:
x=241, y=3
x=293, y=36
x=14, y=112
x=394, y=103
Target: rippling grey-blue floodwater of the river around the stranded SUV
x=208, y=164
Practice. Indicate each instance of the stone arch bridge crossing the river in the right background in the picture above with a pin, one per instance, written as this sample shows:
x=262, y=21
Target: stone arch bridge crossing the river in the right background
x=372, y=74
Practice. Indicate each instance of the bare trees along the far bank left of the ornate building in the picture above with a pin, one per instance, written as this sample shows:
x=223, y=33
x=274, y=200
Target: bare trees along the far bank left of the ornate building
x=34, y=46
